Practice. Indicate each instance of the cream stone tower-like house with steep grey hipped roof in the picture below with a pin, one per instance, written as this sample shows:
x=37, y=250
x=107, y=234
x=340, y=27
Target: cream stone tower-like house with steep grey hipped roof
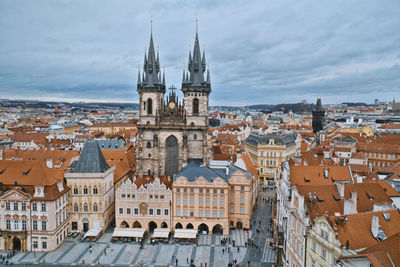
x=91, y=181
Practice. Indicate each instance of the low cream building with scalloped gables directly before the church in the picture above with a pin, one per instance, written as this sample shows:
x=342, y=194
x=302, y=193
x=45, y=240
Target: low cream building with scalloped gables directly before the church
x=143, y=203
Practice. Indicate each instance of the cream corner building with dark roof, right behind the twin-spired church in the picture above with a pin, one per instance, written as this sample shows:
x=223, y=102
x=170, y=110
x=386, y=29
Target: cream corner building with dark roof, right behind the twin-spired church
x=269, y=151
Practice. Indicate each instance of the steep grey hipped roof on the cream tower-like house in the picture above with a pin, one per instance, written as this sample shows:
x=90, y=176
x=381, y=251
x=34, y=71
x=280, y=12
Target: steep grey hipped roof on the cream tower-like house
x=91, y=159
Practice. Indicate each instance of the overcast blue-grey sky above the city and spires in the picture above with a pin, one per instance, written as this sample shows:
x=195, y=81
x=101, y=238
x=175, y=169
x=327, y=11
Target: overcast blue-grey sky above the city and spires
x=262, y=51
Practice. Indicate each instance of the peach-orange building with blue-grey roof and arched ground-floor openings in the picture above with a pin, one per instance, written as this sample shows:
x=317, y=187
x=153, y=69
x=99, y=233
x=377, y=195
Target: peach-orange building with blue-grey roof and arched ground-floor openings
x=213, y=199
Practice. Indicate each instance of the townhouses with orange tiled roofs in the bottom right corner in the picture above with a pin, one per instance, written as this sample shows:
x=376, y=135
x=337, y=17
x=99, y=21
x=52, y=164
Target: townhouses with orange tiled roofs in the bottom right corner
x=319, y=207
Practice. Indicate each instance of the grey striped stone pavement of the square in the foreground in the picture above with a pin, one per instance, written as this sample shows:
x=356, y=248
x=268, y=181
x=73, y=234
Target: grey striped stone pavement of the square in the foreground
x=209, y=250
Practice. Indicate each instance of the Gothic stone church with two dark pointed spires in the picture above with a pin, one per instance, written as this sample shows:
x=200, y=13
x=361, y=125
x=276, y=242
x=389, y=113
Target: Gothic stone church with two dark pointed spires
x=172, y=133
